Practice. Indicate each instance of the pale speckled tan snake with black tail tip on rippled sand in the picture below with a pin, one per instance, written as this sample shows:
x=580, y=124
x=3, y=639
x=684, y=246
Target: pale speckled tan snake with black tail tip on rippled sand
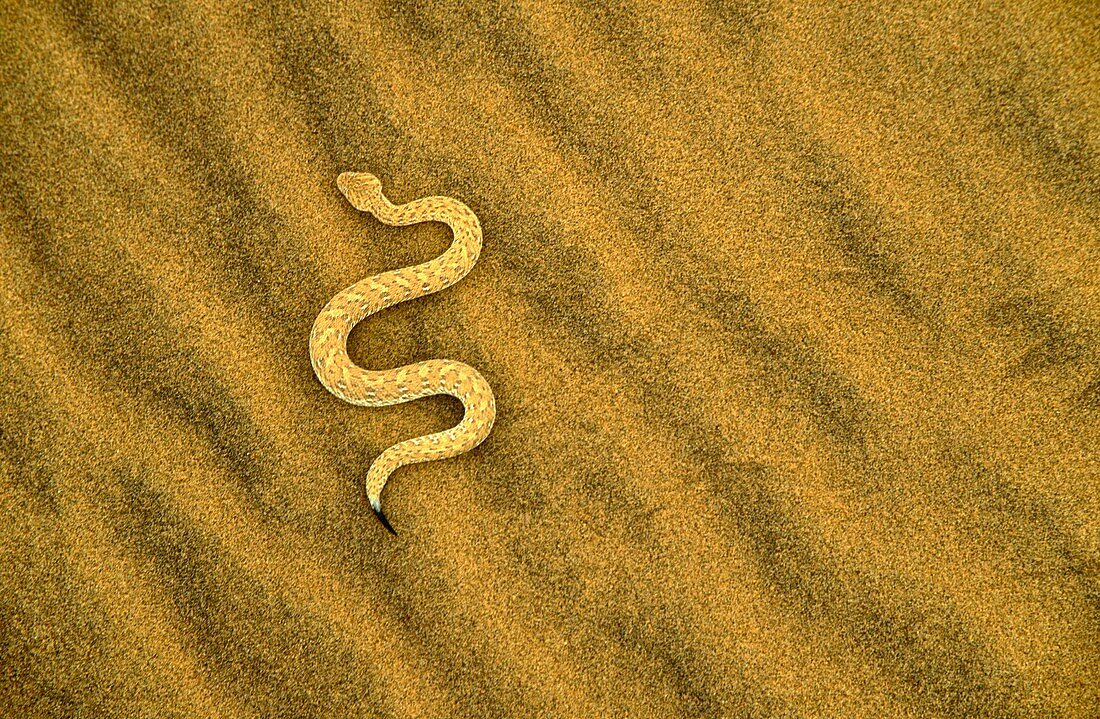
x=328, y=340
